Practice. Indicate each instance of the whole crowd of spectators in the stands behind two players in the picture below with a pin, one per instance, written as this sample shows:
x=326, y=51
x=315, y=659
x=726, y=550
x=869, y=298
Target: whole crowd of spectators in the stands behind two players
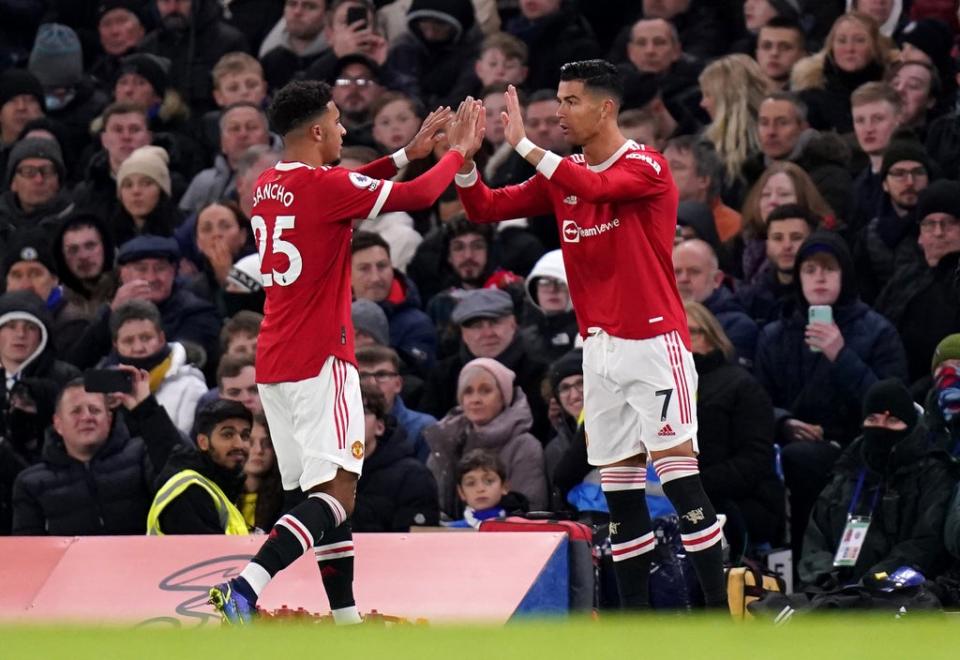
x=815, y=146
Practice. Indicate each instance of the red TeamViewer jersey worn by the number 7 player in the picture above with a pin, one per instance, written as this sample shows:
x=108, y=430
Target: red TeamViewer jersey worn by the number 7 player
x=617, y=222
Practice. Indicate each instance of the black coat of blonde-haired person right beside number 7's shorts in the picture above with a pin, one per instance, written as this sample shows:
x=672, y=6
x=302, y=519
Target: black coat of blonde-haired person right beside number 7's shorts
x=736, y=436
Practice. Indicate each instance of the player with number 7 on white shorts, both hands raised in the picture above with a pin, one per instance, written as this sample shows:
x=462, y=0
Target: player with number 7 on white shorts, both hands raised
x=616, y=210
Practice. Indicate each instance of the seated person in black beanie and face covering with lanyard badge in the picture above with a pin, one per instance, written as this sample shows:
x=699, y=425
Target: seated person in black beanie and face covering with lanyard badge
x=893, y=474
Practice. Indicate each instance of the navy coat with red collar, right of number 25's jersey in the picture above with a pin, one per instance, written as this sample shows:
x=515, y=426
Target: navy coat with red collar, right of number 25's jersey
x=411, y=330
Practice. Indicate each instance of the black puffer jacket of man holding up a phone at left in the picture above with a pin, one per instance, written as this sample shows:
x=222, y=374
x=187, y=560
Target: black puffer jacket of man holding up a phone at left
x=110, y=494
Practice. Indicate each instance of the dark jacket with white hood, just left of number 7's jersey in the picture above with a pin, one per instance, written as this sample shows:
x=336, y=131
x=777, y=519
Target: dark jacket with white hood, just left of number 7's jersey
x=550, y=334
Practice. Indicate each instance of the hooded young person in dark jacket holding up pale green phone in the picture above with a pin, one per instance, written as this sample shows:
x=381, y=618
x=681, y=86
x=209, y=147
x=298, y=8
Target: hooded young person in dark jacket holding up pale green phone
x=817, y=393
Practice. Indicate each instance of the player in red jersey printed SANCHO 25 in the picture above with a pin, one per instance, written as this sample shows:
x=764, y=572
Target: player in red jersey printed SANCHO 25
x=306, y=369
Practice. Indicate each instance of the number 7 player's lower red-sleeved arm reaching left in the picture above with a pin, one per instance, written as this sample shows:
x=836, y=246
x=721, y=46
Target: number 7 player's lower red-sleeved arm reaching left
x=483, y=204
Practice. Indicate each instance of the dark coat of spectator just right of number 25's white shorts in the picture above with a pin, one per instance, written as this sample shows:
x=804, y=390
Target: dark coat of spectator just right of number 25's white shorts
x=395, y=491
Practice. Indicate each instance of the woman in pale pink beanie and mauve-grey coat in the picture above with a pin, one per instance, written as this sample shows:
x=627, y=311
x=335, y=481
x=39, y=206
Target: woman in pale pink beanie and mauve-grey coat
x=492, y=414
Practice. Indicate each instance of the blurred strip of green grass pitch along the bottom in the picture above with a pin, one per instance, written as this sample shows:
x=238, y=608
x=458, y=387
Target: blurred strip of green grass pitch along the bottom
x=832, y=636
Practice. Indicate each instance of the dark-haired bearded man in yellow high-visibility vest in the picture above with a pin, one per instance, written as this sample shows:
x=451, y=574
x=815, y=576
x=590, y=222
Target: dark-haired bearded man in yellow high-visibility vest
x=198, y=488
